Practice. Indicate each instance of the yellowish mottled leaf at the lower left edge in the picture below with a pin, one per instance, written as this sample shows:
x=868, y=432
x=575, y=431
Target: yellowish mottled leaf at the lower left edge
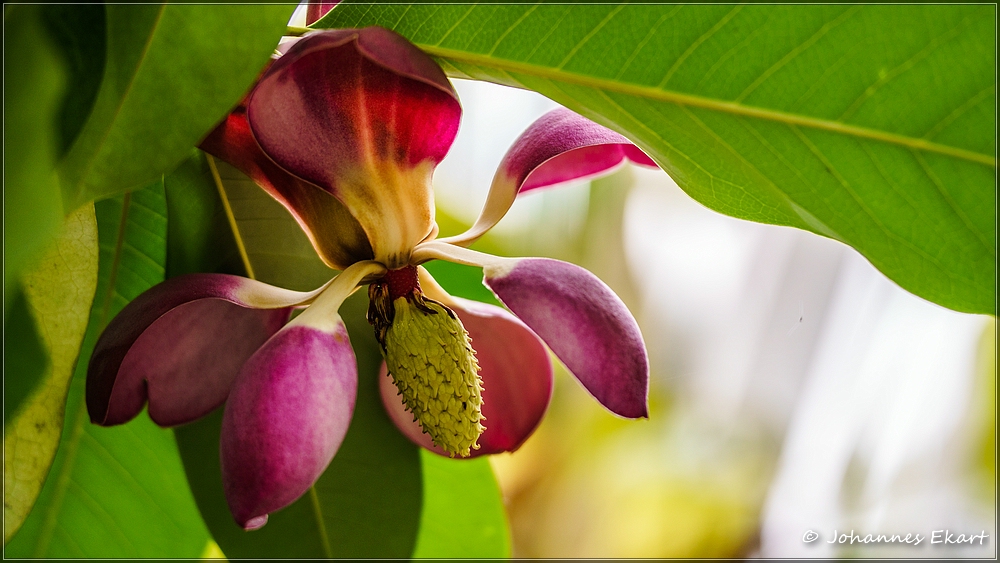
x=58, y=292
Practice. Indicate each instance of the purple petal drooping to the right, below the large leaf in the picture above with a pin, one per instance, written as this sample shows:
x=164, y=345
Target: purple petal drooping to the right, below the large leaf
x=584, y=323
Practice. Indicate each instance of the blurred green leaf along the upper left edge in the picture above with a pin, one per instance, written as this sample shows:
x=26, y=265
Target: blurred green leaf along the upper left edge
x=34, y=76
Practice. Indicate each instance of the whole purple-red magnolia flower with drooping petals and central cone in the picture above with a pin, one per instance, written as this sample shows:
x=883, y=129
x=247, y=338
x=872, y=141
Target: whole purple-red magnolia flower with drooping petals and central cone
x=345, y=129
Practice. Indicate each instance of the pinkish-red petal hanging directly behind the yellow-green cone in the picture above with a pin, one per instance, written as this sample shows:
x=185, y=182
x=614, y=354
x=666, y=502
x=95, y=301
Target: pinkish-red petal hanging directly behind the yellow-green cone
x=517, y=380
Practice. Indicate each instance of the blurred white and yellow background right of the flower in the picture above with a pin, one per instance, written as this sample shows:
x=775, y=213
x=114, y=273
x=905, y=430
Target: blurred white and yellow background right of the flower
x=794, y=387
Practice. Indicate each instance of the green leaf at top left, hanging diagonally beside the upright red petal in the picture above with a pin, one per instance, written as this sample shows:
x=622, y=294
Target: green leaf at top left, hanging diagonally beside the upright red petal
x=171, y=73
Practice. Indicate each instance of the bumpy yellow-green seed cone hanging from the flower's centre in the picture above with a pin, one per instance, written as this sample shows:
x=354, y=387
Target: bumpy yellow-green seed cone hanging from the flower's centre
x=430, y=357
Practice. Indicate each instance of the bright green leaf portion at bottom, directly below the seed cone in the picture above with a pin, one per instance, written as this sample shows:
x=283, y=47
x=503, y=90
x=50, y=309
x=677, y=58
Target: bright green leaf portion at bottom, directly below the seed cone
x=463, y=514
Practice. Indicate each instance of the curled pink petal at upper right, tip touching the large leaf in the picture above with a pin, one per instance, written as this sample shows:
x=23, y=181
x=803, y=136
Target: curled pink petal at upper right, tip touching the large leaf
x=559, y=147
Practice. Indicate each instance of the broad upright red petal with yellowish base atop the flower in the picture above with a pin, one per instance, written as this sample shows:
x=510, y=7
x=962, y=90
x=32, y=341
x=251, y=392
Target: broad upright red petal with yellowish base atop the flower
x=366, y=116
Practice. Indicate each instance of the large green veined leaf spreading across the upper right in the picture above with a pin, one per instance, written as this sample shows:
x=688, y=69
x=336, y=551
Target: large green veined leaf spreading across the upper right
x=874, y=125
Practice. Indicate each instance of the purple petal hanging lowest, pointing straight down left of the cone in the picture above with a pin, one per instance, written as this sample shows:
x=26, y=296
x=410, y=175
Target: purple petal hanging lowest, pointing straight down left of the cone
x=285, y=418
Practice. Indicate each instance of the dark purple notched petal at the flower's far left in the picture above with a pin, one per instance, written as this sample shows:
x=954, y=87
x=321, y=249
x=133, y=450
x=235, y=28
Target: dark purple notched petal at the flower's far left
x=179, y=345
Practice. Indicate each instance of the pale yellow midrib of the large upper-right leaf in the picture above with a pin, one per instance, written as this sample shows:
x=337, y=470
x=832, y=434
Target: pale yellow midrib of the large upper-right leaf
x=713, y=104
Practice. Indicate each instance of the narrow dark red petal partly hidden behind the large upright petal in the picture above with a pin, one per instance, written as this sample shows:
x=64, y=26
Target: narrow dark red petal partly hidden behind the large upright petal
x=335, y=234
